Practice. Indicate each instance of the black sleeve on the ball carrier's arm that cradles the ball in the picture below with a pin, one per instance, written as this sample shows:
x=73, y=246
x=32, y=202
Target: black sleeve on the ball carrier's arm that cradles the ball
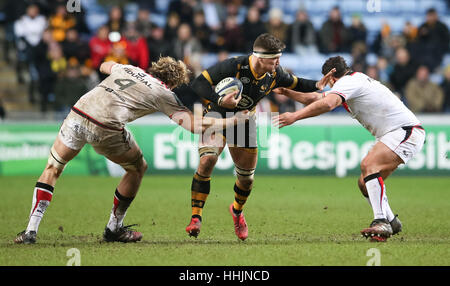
x=203, y=84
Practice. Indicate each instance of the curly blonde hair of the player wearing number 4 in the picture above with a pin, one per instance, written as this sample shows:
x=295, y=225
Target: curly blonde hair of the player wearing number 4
x=170, y=71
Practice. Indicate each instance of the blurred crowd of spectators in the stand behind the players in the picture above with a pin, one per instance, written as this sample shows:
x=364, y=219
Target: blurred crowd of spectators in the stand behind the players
x=61, y=56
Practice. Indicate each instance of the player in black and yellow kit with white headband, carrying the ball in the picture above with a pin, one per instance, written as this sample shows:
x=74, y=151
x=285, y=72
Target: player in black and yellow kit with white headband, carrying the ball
x=259, y=72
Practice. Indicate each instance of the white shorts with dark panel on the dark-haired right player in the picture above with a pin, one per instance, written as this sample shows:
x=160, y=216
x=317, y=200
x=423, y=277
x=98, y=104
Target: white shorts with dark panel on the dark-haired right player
x=406, y=142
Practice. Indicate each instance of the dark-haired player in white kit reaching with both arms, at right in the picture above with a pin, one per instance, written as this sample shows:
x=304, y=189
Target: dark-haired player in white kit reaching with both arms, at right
x=398, y=134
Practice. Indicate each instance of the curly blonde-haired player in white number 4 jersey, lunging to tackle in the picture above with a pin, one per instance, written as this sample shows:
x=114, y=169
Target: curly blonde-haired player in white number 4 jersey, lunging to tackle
x=99, y=118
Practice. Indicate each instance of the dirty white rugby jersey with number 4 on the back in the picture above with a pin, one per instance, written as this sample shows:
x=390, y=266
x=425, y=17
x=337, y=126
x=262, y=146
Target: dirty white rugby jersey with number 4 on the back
x=125, y=95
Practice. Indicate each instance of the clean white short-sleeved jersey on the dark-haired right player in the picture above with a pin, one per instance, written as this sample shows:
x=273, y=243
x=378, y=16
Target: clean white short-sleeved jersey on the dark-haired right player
x=373, y=104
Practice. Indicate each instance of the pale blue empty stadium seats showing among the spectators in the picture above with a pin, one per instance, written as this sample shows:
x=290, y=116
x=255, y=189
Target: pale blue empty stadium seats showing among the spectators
x=395, y=12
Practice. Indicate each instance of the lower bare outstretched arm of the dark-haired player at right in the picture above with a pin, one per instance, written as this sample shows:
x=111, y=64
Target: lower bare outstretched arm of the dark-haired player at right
x=326, y=104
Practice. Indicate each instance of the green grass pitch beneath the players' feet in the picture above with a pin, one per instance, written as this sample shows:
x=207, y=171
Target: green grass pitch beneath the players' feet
x=293, y=221
